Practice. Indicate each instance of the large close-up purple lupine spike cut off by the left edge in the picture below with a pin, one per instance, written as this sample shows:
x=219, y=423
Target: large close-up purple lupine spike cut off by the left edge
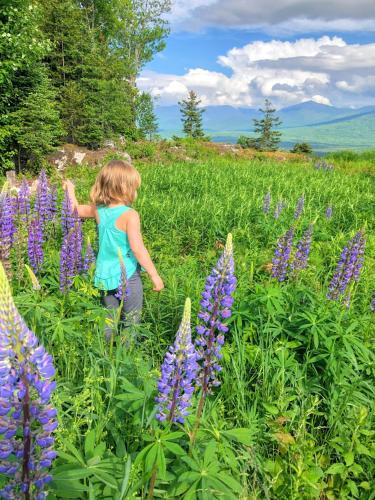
x=27, y=418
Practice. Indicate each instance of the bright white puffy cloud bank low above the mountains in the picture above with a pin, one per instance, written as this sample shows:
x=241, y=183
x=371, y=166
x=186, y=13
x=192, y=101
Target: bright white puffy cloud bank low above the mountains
x=326, y=70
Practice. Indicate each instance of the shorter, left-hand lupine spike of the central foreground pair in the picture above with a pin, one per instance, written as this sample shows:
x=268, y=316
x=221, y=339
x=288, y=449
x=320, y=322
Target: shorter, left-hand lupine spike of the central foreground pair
x=178, y=373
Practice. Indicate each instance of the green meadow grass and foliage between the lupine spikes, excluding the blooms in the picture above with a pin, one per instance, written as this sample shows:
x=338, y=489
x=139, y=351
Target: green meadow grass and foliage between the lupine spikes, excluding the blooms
x=292, y=418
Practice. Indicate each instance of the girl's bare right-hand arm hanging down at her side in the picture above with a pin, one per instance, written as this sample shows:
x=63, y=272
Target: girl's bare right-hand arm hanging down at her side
x=131, y=224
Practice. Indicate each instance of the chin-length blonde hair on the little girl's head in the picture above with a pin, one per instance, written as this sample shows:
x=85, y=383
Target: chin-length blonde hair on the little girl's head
x=117, y=181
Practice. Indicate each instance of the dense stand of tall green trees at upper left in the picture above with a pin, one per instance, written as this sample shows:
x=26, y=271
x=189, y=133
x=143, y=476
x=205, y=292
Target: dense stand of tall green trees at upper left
x=68, y=72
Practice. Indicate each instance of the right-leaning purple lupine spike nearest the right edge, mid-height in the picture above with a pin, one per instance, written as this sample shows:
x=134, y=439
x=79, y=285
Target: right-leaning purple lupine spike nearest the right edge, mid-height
x=348, y=268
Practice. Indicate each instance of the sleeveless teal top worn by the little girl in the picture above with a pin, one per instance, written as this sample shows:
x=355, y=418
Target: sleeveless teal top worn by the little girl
x=108, y=270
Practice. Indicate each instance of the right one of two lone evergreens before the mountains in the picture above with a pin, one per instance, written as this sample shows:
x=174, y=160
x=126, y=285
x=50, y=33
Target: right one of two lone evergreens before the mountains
x=269, y=138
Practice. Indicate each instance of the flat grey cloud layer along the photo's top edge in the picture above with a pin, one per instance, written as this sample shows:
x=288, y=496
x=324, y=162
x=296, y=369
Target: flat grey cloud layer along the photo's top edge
x=283, y=16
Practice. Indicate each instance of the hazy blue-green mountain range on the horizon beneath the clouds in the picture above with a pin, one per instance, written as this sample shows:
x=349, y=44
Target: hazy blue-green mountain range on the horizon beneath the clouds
x=326, y=128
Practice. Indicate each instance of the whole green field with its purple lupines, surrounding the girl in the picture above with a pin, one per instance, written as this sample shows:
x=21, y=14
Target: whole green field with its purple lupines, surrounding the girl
x=267, y=390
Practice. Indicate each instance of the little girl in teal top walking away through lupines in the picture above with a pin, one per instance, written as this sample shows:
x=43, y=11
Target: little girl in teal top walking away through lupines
x=114, y=191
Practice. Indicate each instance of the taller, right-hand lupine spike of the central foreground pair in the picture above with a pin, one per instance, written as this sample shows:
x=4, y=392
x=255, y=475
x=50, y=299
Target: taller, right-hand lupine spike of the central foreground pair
x=216, y=304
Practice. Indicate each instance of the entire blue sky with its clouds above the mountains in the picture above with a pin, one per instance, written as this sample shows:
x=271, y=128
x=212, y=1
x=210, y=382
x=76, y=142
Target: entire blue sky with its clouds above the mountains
x=239, y=52
